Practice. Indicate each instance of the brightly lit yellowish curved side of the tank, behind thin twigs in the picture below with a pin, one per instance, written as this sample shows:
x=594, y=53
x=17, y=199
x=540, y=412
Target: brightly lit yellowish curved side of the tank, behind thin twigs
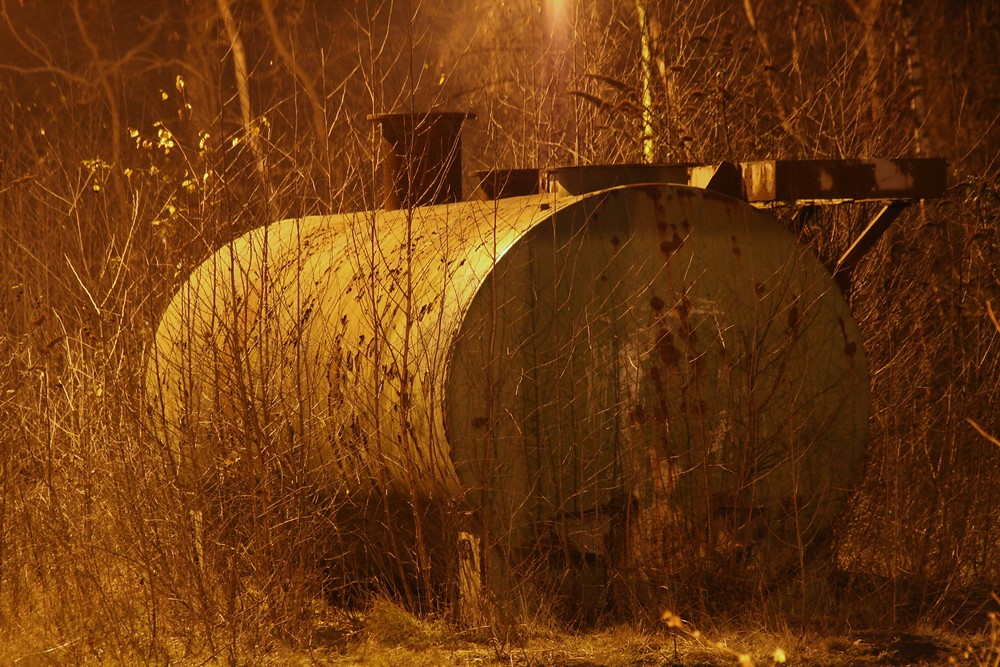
x=328, y=336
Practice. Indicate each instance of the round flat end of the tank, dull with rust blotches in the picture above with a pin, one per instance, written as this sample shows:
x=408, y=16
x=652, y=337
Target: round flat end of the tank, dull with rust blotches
x=667, y=349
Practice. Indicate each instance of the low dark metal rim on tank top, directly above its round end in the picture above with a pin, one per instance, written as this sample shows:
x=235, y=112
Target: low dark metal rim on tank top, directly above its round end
x=571, y=181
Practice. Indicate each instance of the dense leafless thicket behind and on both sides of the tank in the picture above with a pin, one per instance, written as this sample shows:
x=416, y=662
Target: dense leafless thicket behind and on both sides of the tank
x=135, y=138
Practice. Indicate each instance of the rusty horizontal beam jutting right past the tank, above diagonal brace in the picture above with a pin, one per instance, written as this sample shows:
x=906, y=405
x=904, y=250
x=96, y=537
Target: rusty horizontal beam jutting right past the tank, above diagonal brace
x=800, y=181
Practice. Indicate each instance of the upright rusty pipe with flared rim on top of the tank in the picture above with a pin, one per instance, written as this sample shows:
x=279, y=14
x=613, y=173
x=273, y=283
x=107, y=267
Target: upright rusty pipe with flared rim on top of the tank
x=422, y=155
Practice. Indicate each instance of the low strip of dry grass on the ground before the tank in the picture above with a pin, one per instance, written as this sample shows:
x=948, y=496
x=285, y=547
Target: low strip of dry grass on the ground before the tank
x=386, y=634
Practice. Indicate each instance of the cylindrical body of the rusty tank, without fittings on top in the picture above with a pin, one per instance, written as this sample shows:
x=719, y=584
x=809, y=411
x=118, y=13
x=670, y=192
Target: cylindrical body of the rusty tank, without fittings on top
x=658, y=357
